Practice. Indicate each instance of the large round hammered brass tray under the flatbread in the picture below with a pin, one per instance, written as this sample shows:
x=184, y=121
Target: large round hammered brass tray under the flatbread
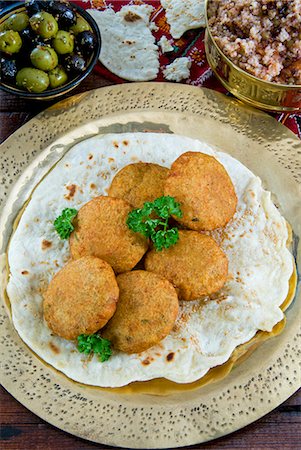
x=258, y=385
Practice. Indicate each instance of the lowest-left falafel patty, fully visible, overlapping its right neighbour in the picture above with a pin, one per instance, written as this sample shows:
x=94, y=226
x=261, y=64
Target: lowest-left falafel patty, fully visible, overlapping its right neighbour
x=81, y=298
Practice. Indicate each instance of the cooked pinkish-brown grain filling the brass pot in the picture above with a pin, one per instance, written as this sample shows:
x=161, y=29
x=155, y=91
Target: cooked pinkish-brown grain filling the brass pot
x=263, y=37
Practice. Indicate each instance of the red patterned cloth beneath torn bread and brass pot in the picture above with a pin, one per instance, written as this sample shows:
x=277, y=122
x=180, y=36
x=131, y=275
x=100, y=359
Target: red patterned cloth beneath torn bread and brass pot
x=191, y=44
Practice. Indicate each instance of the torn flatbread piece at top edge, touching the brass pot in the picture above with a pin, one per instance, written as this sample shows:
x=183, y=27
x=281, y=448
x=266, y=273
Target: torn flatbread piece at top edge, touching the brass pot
x=184, y=15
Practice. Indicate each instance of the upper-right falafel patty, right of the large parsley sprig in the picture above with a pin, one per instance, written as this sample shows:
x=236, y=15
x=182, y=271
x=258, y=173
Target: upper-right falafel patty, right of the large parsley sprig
x=204, y=189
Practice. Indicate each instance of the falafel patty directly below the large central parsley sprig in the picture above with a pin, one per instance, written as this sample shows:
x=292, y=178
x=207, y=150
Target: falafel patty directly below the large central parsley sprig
x=196, y=265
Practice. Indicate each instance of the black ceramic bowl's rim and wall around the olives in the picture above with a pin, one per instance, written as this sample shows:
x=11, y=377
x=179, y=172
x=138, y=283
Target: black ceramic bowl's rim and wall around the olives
x=50, y=94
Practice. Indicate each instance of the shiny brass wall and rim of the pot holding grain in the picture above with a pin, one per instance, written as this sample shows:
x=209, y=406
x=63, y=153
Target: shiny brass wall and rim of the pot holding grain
x=261, y=94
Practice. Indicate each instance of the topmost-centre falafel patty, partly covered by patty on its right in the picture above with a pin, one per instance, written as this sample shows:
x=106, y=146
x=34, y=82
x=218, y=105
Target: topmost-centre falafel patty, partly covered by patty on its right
x=139, y=183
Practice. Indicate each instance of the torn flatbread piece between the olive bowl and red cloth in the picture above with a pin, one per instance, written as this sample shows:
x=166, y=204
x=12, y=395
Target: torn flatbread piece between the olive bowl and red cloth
x=128, y=47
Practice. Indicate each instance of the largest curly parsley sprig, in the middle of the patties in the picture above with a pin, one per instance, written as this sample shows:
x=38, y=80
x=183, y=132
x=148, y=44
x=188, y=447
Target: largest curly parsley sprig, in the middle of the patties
x=143, y=220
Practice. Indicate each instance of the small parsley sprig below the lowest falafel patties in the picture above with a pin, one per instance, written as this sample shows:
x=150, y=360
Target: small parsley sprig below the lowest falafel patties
x=93, y=343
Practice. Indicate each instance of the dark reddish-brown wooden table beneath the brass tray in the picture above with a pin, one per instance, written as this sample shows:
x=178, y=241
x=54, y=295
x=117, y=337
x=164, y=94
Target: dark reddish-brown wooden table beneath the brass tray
x=22, y=430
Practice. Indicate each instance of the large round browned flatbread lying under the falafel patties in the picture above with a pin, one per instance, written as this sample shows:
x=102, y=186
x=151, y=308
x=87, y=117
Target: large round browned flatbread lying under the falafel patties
x=206, y=332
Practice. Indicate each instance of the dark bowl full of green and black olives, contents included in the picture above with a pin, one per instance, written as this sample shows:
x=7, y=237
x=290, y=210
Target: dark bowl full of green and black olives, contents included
x=42, y=55
